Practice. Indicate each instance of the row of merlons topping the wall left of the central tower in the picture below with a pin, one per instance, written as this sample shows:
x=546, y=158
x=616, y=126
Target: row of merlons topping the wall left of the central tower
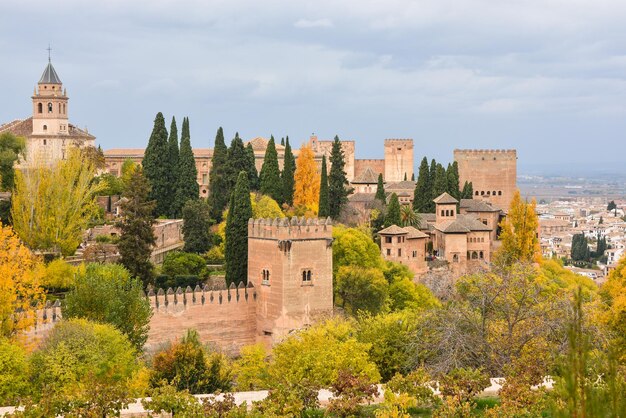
x=171, y=300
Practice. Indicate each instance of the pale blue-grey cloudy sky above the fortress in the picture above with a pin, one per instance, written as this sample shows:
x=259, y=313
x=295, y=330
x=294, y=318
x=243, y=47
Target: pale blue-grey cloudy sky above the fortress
x=544, y=76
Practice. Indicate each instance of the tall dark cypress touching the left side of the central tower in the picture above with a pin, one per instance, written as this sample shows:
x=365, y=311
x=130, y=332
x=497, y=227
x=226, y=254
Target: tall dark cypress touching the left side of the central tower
x=236, y=247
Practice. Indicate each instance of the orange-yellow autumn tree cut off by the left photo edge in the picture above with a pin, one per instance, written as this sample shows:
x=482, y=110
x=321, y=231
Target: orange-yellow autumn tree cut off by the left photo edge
x=20, y=293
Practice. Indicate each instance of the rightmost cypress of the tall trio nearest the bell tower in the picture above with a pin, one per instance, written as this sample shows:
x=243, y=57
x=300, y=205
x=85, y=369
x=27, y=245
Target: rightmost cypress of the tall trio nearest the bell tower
x=187, y=186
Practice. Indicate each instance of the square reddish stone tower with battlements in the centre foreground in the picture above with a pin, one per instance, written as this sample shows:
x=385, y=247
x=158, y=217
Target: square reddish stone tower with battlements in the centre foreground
x=290, y=264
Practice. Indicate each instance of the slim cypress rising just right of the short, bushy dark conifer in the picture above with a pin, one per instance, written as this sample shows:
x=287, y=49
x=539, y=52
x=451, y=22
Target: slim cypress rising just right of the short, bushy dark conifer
x=218, y=190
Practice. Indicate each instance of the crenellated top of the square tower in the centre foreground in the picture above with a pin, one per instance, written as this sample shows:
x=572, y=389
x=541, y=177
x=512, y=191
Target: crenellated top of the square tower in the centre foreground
x=280, y=229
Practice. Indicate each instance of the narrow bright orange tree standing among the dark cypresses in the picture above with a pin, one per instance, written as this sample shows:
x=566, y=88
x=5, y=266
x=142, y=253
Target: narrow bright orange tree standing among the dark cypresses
x=306, y=190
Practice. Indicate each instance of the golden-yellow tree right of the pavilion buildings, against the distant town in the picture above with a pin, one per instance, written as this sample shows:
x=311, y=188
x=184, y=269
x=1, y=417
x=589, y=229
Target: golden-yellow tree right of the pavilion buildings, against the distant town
x=519, y=236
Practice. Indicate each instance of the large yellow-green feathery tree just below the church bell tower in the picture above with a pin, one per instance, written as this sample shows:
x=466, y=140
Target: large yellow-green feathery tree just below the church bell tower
x=52, y=205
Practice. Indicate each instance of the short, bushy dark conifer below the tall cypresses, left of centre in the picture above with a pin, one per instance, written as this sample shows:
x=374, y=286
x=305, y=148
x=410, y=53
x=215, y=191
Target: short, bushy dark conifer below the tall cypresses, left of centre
x=196, y=224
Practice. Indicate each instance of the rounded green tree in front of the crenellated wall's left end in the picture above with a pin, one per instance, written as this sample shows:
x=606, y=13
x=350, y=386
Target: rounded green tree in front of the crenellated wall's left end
x=107, y=293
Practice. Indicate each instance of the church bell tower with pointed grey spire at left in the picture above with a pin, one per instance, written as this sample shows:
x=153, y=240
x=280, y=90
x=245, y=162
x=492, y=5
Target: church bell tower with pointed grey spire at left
x=50, y=104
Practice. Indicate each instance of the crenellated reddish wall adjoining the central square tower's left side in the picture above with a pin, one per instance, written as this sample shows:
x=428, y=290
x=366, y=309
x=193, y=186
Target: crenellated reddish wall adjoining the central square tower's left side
x=226, y=317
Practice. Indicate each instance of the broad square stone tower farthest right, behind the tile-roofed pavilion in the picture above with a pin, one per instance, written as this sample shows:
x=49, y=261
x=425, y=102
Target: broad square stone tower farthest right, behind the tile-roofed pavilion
x=493, y=174
